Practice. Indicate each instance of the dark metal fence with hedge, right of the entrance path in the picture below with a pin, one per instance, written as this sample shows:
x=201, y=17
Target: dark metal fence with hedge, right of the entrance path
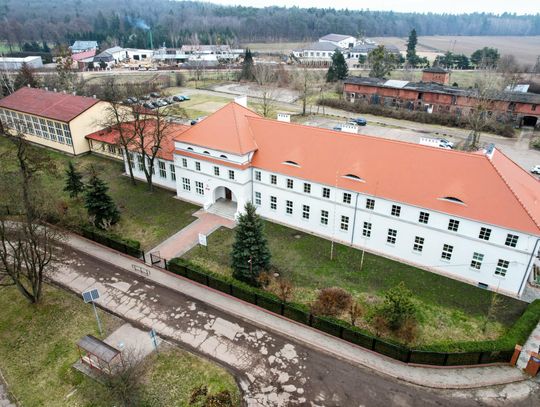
x=340, y=329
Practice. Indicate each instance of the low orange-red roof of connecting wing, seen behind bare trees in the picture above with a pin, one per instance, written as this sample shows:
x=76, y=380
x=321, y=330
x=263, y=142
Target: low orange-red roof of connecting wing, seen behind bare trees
x=110, y=136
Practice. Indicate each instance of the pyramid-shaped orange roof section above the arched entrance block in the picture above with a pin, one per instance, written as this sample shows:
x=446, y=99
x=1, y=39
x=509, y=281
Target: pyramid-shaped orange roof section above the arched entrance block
x=227, y=130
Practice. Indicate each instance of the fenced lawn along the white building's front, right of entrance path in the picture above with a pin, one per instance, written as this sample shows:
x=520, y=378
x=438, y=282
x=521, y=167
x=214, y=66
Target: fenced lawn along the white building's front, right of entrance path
x=447, y=309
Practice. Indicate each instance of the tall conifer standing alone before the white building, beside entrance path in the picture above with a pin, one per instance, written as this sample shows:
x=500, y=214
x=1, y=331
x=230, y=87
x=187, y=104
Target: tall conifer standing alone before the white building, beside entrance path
x=250, y=252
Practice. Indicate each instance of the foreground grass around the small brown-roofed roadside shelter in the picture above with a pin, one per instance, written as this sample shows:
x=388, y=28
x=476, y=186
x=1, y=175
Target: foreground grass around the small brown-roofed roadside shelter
x=37, y=349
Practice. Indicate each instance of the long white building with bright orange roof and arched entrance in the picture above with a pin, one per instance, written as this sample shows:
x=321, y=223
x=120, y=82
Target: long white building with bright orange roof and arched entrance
x=470, y=216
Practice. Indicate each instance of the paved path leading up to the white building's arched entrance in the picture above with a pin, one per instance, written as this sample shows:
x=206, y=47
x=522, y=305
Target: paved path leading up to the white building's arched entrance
x=187, y=238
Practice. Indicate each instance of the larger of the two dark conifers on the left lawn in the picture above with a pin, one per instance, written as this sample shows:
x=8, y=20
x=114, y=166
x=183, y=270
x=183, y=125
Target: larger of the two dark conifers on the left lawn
x=99, y=204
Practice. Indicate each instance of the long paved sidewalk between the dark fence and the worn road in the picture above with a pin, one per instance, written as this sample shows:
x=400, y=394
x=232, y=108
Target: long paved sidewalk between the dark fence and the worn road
x=434, y=377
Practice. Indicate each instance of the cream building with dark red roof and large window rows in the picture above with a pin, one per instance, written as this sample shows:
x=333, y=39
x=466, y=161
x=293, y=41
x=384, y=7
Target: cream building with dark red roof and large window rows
x=56, y=120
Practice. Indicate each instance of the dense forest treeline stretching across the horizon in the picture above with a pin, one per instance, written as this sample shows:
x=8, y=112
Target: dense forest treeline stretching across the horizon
x=126, y=22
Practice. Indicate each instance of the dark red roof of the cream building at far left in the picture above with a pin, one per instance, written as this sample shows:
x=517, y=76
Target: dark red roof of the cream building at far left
x=59, y=106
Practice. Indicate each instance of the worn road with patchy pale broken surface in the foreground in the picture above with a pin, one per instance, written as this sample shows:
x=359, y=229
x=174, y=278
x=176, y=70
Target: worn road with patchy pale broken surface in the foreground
x=273, y=369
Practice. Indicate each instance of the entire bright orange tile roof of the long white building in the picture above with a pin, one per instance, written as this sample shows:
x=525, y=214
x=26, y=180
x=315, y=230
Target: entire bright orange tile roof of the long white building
x=496, y=191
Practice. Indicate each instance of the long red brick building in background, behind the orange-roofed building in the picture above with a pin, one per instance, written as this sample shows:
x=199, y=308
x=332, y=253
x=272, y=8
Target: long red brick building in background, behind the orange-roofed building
x=521, y=108
